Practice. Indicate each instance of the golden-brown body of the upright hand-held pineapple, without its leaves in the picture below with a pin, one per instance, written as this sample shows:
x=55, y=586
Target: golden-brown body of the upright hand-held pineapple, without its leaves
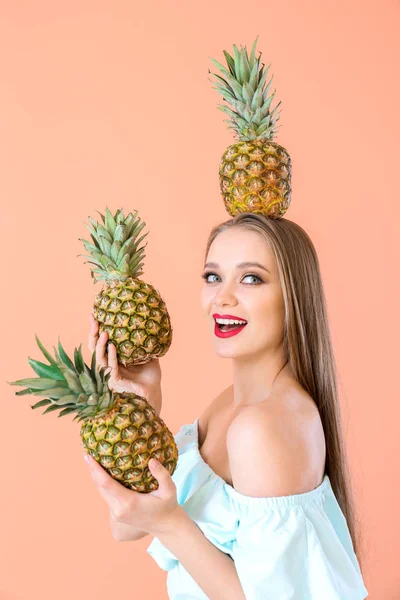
x=136, y=319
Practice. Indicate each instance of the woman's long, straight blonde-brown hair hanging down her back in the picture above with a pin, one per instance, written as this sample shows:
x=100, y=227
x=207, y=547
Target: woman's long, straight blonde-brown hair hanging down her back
x=307, y=339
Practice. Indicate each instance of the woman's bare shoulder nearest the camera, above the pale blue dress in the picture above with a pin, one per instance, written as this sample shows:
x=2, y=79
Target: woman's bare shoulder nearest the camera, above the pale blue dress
x=277, y=448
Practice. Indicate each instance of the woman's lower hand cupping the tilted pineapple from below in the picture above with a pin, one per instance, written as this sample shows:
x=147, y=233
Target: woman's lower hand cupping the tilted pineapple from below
x=155, y=512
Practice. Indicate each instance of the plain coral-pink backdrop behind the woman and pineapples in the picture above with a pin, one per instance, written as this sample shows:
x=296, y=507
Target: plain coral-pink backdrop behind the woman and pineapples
x=110, y=104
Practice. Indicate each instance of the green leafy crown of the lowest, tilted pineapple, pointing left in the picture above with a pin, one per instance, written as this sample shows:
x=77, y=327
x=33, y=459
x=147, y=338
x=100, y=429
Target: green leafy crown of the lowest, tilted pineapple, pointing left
x=68, y=385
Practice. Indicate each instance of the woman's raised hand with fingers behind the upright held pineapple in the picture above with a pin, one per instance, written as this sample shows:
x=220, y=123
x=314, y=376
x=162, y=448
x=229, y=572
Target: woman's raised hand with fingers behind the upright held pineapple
x=143, y=380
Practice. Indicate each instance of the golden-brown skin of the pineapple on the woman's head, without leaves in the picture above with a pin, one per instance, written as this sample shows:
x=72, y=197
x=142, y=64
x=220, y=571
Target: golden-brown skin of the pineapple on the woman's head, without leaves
x=255, y=176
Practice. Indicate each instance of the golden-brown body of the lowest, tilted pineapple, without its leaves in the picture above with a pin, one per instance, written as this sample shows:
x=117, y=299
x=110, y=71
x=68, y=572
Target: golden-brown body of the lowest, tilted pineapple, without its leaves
x=124, y=440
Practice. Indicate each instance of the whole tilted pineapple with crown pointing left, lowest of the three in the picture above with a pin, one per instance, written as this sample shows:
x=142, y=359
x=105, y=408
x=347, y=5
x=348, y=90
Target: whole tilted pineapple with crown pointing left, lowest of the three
x=121, y=431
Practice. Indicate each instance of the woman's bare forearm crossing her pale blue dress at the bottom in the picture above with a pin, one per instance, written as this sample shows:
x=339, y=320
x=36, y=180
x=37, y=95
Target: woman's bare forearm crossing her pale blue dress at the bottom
x=213, y=570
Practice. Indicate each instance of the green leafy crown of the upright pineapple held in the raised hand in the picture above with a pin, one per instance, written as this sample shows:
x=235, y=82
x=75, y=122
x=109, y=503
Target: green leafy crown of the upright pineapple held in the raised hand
x=114, y=251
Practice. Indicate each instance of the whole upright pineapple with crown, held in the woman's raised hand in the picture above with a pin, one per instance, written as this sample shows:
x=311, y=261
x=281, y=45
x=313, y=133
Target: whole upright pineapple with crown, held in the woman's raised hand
x=129, y=309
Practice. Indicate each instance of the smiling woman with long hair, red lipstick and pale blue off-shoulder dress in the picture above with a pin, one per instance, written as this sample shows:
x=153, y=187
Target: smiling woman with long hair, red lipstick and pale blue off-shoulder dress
x=259, y=506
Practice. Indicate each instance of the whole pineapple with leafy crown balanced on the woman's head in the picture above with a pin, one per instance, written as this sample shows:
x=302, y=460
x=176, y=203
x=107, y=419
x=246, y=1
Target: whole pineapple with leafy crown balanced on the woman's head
x=255, y=172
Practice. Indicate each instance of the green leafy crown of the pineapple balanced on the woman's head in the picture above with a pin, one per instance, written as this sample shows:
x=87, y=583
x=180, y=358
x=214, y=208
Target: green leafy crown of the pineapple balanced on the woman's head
x=243, y=88
